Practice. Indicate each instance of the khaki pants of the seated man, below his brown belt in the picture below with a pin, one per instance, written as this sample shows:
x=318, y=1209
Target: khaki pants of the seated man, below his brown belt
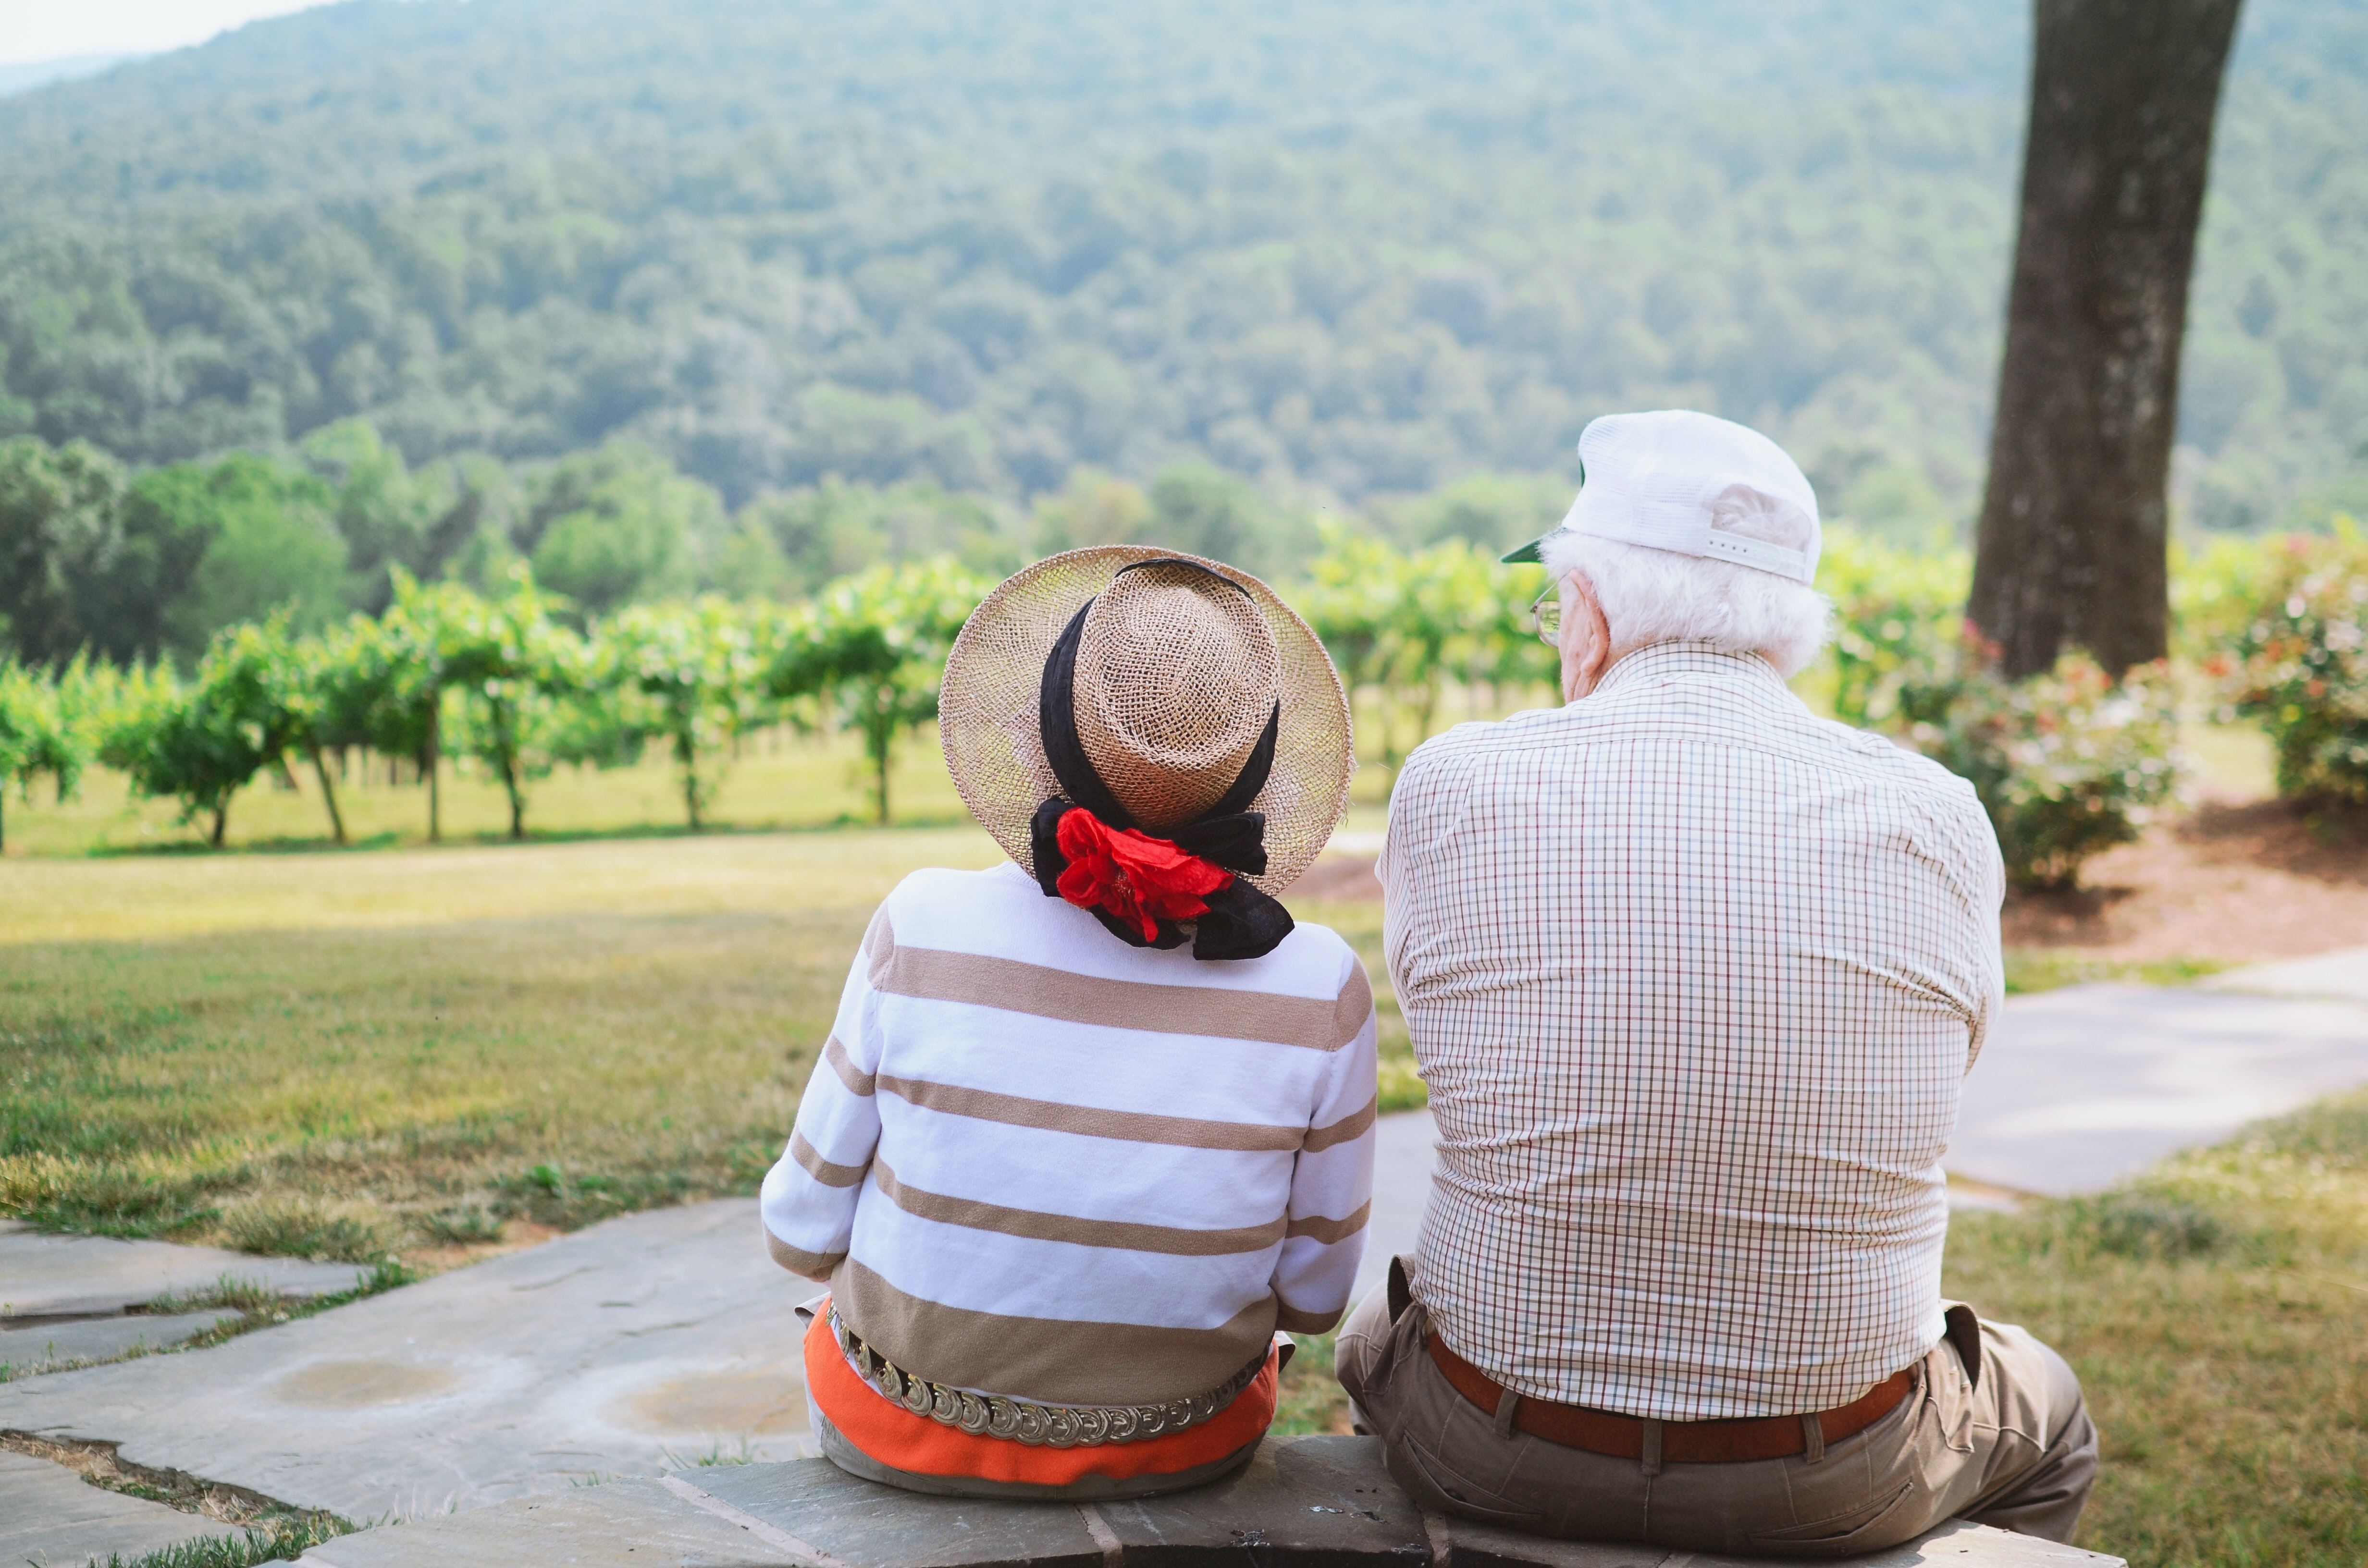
x=2007, y=1448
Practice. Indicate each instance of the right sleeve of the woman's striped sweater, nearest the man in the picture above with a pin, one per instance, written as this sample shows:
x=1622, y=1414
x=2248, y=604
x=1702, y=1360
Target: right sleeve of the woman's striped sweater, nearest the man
x=1332, y=1188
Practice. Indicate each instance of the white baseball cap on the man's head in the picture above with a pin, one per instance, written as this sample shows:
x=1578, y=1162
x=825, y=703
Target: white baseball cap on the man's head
x=1659, y=480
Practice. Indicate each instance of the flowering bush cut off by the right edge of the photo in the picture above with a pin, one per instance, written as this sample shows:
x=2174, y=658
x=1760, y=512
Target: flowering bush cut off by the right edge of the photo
x=2303, y=664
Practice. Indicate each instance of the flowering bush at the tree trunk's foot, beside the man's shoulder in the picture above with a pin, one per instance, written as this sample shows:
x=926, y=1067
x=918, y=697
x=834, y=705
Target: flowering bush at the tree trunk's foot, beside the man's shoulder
x=2066, y=764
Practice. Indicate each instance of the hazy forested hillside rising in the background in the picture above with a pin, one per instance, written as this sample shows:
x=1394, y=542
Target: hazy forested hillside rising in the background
x=1332, y=248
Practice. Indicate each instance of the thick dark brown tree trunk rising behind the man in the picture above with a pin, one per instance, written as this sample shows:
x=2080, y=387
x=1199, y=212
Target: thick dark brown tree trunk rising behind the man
x=2076, y=525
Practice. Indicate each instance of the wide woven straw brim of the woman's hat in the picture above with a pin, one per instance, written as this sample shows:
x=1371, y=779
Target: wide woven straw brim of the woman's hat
x=989, y=709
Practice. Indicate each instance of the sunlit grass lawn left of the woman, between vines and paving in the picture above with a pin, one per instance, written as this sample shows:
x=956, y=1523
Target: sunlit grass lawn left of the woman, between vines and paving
x=363, y=1055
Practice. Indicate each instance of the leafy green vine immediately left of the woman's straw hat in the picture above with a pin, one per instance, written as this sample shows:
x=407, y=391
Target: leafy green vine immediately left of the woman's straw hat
x=880, y=641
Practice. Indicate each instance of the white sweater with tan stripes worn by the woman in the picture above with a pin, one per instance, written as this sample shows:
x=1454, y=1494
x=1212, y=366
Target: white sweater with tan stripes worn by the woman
x=1043, y=1164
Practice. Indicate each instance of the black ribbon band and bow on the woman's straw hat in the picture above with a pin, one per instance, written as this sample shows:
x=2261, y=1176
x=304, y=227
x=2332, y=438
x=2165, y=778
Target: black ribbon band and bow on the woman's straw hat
x=1240, y=923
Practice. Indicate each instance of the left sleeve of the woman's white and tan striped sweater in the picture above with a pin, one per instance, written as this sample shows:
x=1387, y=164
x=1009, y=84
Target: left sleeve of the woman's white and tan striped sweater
x=809, y=1197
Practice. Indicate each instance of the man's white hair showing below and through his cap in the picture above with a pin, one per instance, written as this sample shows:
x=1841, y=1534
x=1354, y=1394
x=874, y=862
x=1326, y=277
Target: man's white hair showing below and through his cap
x=1661, y=596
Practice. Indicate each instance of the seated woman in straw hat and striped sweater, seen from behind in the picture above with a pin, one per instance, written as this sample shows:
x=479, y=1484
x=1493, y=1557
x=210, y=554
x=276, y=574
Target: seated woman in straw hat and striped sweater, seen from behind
x=1093, y=1126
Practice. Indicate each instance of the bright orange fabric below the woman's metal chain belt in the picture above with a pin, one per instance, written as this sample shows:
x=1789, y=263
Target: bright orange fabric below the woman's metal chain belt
x=882, y=1429
